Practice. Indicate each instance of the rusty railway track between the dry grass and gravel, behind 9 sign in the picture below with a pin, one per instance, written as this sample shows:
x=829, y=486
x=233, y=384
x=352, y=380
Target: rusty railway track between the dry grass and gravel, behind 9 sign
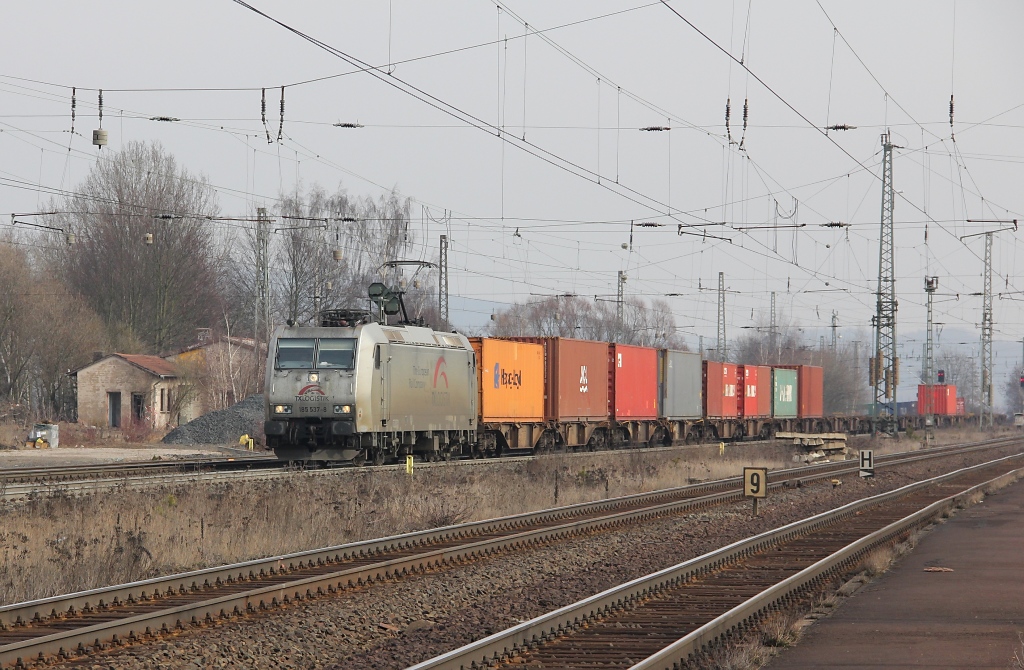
x=80, y=623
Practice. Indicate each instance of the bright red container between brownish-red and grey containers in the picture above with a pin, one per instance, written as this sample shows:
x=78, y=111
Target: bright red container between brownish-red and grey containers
x=632, y=382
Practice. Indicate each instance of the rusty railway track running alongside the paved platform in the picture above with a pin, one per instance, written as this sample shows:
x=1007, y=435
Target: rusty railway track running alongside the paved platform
x=667, y=619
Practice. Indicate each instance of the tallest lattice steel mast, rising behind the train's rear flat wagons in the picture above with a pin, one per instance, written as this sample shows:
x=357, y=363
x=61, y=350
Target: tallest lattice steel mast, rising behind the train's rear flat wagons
x=885, y=366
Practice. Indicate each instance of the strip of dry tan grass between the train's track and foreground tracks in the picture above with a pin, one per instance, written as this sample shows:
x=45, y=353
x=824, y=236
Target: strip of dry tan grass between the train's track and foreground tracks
x=63, y=545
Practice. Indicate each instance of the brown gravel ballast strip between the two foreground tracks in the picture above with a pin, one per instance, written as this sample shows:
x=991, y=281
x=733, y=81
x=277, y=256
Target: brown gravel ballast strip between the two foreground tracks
x=398, y=624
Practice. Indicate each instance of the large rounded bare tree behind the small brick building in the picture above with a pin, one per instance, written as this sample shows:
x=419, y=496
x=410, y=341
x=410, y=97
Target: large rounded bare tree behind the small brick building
x=145, y=258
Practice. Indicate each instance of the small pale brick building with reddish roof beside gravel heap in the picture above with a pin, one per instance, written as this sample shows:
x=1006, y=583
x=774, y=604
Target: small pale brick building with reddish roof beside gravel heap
x=120, y=390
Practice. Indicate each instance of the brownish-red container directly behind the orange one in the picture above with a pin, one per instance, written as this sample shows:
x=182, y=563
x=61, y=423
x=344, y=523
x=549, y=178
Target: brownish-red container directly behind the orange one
x=575, y=384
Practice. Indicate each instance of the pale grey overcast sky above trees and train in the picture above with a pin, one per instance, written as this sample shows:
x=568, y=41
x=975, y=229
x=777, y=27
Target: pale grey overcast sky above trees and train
x=551, y=215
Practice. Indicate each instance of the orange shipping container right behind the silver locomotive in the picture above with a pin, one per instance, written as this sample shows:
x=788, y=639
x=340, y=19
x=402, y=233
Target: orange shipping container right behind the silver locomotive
x=510, y=378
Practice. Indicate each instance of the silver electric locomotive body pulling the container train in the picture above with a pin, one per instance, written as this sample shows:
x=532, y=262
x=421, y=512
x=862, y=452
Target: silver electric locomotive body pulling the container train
x=369, y=393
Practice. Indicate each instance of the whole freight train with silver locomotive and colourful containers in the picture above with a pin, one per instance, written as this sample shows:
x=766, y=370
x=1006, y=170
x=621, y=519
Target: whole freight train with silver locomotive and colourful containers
x=354, y=390
